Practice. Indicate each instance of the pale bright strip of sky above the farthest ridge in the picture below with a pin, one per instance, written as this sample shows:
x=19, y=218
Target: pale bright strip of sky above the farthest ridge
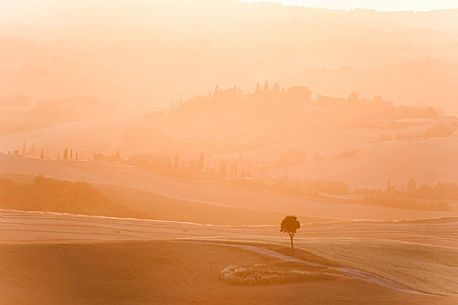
x=385, y=5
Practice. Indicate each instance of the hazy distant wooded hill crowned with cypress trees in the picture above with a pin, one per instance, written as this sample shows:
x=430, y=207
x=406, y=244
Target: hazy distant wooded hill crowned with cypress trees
x=292, y=108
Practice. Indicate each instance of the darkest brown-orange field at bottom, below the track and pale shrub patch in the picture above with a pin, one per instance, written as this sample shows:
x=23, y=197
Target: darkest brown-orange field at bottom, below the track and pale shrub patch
x=163, y=273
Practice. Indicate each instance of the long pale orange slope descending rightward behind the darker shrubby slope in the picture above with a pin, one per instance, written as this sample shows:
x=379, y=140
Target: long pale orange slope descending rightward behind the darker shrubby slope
x=209, y=192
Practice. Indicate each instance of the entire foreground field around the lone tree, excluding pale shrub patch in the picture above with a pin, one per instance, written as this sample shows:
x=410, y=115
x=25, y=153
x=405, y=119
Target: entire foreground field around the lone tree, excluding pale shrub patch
x=99, y=260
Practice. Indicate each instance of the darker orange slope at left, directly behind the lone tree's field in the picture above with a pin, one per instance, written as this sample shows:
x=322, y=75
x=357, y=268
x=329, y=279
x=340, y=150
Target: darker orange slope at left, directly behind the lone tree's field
x=23, y=192
